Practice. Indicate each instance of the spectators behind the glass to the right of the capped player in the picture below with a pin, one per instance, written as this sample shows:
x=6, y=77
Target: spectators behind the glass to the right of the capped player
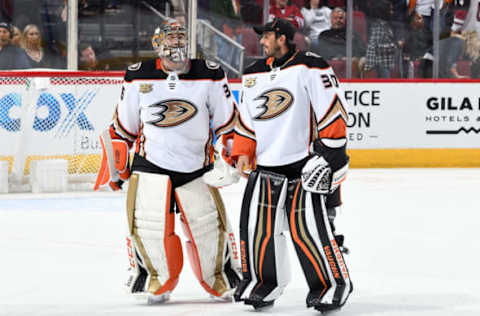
x=391, y=38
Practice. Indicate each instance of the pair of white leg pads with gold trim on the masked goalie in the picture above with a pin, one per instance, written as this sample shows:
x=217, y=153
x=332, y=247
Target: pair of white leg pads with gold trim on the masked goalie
x=155, y=251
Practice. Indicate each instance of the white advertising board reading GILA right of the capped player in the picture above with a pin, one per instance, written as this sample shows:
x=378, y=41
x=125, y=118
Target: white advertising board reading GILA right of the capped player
x=407, y=115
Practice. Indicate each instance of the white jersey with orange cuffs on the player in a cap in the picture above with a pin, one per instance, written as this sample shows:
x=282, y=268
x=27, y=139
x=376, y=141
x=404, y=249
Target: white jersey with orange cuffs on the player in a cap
x=284, y=109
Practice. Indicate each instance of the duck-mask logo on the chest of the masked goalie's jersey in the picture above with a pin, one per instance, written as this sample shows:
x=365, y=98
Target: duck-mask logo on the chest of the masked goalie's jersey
x=172, y=112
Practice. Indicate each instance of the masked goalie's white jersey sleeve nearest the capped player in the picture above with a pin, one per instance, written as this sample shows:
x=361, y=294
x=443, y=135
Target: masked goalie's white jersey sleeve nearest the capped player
x=222, y=106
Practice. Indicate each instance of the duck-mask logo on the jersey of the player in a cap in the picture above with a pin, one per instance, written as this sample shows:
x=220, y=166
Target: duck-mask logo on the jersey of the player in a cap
x=275, y=103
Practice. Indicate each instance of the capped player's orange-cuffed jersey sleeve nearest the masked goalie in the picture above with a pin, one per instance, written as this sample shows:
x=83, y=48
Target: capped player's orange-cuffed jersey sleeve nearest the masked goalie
x=244, y=141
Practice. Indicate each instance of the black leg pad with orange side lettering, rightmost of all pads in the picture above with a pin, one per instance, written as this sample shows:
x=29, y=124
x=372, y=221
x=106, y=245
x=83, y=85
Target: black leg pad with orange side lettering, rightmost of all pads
x=321, y=260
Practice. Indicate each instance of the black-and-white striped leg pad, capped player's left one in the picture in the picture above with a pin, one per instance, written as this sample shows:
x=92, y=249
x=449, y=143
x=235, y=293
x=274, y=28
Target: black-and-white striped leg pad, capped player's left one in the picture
x=265, y=263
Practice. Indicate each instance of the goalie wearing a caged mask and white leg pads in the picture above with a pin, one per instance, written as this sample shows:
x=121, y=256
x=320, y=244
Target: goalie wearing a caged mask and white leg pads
x=169, y=110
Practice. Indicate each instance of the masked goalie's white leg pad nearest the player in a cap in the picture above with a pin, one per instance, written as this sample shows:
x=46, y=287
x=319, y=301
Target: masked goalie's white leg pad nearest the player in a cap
x=208, y=238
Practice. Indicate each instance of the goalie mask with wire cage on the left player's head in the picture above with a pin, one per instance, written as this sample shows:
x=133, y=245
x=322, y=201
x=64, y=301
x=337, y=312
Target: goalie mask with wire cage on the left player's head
x=170, y=41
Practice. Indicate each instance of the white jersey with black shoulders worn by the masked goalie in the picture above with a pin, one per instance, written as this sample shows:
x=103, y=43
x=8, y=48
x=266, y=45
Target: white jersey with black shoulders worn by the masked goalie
x=168, y=116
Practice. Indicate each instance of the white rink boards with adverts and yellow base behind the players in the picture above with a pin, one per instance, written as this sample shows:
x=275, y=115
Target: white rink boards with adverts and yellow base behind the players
x=390, y=123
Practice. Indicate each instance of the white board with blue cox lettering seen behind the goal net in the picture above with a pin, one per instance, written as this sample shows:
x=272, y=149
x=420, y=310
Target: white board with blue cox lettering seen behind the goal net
x=63, y=117
